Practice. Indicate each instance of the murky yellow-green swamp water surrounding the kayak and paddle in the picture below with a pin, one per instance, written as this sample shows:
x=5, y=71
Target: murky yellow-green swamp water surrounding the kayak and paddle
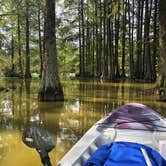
x=86, y=102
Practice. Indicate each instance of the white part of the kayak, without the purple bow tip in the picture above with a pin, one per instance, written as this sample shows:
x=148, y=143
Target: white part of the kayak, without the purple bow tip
x=98, y=135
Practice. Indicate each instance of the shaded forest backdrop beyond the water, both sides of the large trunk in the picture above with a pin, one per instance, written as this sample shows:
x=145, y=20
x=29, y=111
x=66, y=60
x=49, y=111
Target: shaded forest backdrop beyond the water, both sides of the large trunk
x=96, y=38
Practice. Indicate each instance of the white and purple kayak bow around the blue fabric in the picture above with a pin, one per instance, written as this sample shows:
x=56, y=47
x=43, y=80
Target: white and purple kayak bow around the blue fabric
x=130, y=123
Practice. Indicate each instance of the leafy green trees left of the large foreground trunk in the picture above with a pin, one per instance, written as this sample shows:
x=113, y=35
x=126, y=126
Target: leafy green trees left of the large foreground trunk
x=21, y=25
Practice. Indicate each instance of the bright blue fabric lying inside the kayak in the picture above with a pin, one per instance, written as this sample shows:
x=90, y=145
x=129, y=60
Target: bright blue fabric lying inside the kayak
x=124, y=154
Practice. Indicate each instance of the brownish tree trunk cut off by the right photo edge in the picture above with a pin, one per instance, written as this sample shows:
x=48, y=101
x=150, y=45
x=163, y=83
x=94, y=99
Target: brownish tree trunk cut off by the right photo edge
x=162, y=43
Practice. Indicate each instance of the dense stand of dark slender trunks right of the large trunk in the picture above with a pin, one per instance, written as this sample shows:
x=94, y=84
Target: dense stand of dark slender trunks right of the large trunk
x=119, y=38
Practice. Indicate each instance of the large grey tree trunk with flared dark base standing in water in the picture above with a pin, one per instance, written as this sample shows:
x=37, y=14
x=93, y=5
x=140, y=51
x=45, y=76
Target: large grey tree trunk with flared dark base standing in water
x=50, y=89
